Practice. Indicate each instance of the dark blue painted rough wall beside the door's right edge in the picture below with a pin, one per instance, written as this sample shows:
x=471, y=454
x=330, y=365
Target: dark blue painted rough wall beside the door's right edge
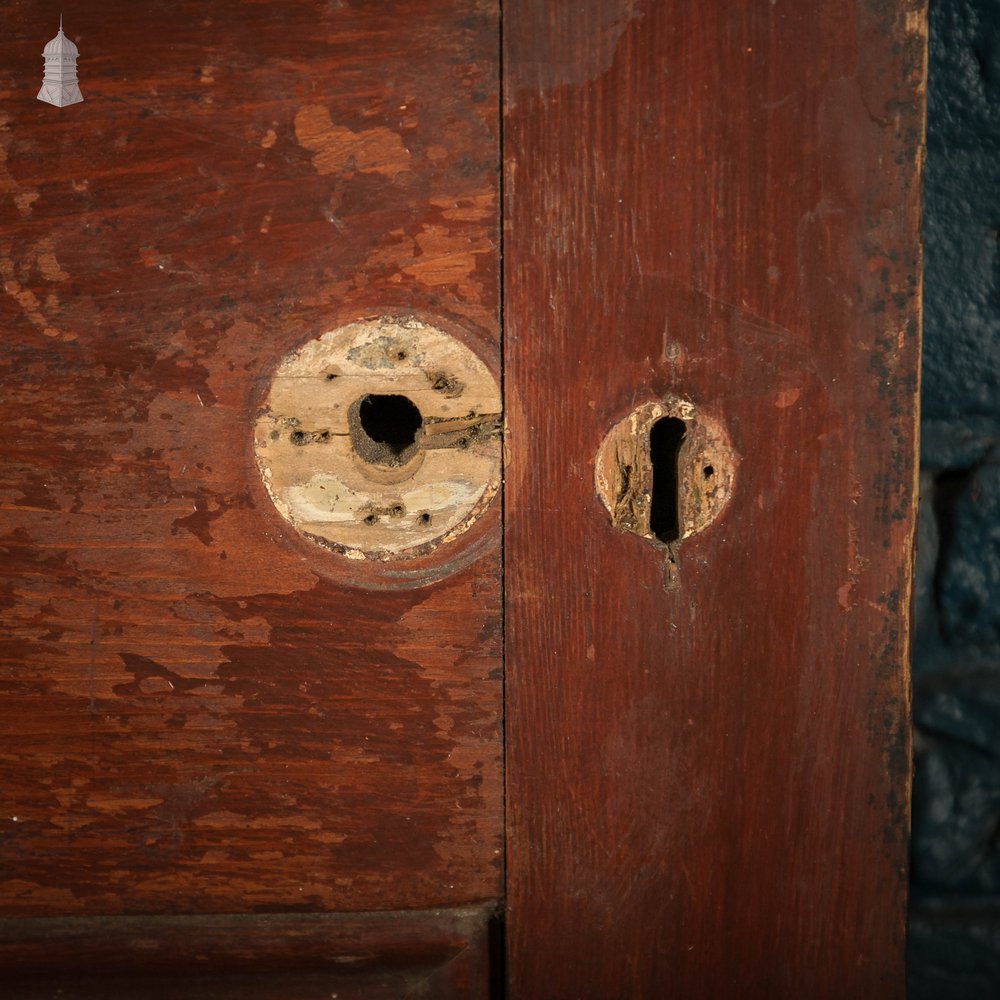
x=955, y=912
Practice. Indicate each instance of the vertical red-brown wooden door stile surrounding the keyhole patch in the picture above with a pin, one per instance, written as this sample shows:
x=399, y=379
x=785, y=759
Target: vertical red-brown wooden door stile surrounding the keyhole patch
x=707, y=786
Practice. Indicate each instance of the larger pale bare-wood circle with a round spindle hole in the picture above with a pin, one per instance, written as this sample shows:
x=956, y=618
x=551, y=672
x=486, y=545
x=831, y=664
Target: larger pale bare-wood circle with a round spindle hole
x=381, y=439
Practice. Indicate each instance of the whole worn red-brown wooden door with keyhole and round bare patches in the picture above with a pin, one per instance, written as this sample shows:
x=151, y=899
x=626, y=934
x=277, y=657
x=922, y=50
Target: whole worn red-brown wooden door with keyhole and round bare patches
x=245, y=754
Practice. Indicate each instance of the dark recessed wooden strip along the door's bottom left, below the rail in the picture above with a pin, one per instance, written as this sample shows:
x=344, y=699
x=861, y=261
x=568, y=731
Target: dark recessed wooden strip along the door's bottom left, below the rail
x=439, y=955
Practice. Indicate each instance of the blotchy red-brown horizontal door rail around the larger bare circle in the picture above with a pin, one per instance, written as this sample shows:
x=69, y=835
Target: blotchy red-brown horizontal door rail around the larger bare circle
x=198, y=715
